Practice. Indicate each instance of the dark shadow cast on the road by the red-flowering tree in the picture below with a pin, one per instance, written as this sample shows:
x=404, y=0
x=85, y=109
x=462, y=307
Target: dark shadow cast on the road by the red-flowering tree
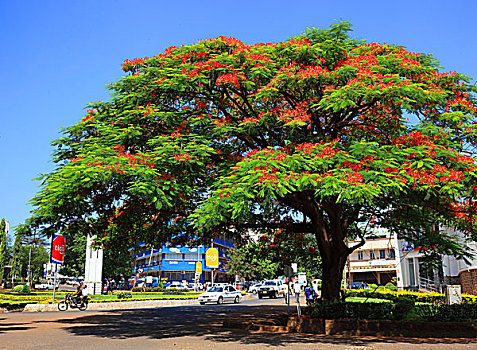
x=207, y=321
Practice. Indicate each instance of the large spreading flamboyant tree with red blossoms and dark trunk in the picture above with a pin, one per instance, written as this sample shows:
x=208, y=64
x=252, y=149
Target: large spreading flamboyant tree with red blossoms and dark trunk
x=310, y=135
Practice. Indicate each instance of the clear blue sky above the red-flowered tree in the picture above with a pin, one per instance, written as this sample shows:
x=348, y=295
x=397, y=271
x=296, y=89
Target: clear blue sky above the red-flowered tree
x=56, y=56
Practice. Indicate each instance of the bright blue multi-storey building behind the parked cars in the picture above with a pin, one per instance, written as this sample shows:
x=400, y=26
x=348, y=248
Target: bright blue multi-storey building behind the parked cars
x=178, y=263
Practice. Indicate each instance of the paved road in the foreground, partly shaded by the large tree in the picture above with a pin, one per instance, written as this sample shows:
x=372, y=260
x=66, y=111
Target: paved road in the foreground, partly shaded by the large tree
x=190, y=327
